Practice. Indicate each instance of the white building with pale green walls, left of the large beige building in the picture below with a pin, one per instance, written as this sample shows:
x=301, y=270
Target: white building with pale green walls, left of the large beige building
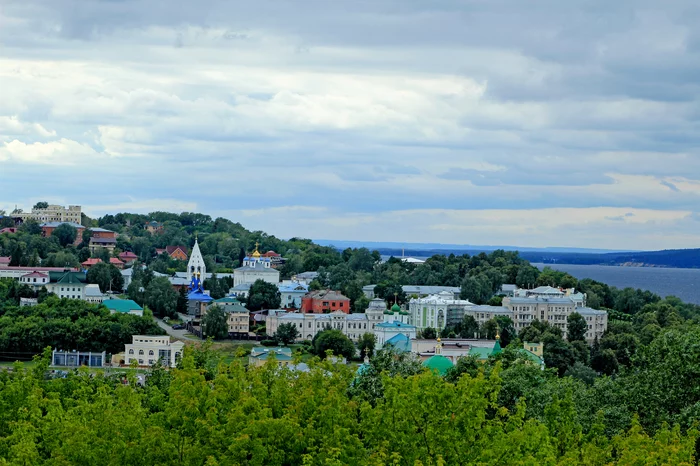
x=436, y=310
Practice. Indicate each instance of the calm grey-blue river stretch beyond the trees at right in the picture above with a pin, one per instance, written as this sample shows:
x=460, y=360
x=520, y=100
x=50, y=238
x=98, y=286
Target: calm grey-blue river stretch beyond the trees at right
x=683, y=283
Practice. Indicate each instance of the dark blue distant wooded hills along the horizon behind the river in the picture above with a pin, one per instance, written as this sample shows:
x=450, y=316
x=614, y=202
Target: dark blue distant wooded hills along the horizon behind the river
x=681, y=258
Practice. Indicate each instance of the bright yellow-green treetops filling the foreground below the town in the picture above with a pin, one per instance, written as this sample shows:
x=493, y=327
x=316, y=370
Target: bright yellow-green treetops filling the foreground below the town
x=202, y=414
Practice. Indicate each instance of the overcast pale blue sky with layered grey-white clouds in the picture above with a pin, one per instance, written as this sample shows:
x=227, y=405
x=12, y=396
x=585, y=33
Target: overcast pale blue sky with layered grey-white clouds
x=542, y=123
